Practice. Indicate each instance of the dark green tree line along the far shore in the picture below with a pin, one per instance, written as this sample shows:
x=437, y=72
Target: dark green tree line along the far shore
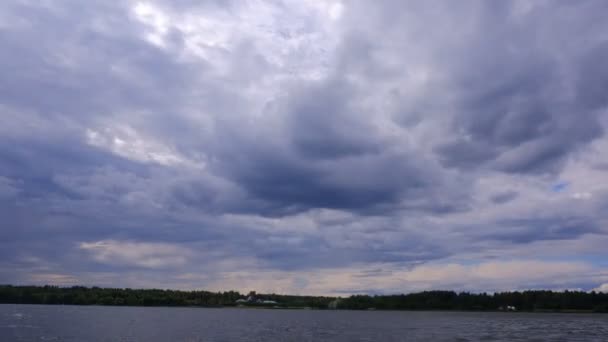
x=427, y=300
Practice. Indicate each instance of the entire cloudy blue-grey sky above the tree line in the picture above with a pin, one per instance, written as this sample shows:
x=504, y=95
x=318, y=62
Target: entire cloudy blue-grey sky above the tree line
x=318, y=147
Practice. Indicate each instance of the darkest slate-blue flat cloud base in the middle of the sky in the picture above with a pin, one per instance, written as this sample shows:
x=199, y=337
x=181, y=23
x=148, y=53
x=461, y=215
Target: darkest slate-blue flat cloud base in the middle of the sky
x=354, y=184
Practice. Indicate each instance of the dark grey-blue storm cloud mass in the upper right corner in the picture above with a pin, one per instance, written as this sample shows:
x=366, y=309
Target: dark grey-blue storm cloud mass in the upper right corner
x=517, y=109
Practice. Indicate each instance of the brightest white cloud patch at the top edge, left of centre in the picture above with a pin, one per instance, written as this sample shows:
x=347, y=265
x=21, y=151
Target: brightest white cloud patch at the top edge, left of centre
x=294, y=37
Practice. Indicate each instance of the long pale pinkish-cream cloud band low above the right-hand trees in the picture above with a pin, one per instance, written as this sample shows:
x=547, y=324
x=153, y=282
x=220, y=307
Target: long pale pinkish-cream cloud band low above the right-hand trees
x=484, y=276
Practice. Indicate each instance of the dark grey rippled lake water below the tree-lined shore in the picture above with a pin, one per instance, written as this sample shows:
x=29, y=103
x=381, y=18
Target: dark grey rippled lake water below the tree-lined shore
x=97, y=323
